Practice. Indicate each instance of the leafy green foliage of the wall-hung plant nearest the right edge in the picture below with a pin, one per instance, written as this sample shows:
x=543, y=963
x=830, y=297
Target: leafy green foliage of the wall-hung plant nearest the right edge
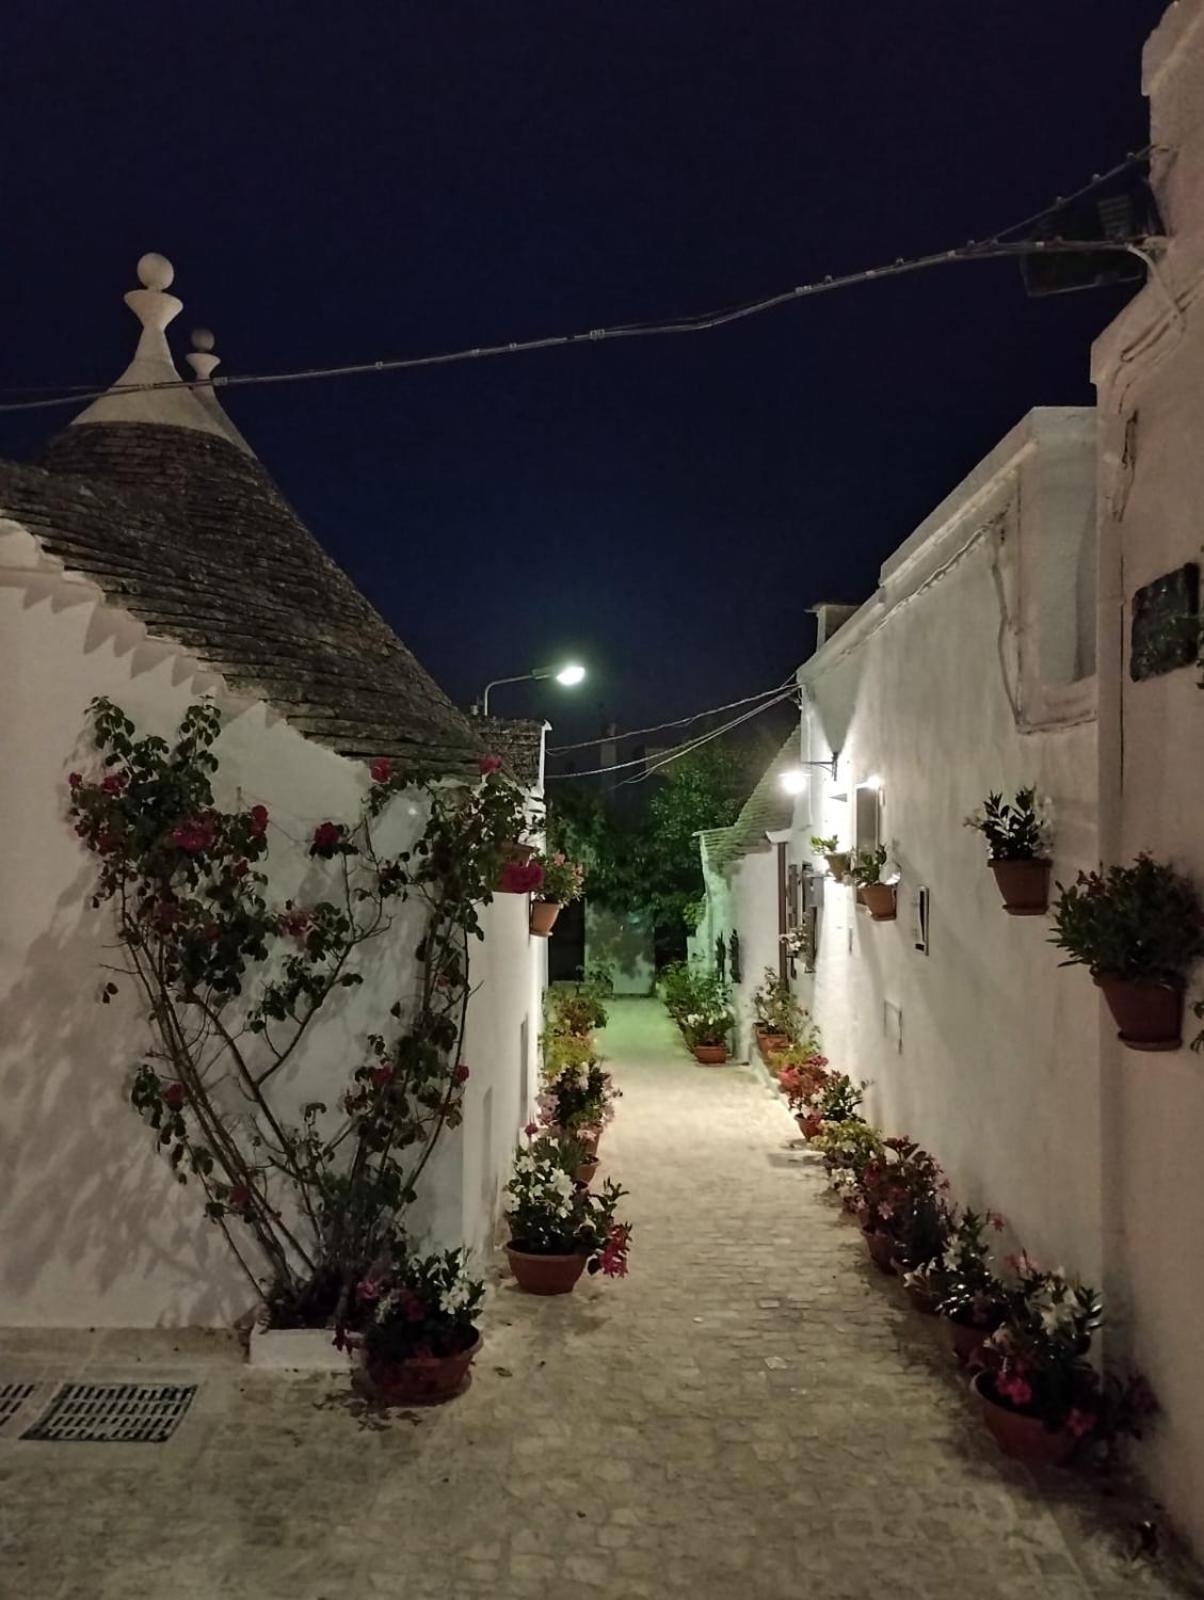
x=1142, y=922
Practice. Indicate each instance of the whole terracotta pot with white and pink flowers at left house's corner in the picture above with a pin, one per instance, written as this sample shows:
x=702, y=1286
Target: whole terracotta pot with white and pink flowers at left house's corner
x=558, y=1226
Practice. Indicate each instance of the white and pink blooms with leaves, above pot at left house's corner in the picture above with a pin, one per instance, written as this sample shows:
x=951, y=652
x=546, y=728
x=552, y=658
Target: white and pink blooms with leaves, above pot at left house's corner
x=552, y=1215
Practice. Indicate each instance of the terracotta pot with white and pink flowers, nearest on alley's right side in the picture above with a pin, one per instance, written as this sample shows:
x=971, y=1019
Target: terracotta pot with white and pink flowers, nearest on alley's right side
x=1041, y=1399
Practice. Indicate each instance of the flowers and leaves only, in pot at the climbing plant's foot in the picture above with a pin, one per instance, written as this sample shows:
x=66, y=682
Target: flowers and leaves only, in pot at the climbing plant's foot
x=419, y=1306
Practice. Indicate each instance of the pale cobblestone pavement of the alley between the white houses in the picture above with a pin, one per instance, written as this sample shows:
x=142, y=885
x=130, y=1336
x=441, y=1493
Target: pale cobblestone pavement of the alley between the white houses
x=752, y=1414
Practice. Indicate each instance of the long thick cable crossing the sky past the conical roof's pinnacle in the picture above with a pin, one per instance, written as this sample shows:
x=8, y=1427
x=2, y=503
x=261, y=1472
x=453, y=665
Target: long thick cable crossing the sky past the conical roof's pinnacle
x=704, y=322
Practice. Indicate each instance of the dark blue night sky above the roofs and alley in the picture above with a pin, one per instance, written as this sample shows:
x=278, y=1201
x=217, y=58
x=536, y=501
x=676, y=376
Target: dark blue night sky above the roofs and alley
x=385, y=178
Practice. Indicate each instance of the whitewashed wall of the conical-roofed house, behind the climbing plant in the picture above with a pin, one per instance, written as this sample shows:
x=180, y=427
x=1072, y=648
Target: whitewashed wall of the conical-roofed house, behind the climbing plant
x=94, y=1230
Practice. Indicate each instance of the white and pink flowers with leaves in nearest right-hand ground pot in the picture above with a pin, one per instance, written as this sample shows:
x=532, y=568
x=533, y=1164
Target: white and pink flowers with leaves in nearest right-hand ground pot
x=1038, y=1364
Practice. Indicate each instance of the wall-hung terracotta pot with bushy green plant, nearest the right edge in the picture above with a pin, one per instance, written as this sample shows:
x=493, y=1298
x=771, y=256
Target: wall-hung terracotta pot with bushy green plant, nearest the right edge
x=1138, y=930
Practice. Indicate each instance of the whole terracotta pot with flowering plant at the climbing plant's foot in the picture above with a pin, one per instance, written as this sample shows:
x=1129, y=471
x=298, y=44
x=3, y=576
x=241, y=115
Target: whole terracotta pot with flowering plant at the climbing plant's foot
x=417, y=1329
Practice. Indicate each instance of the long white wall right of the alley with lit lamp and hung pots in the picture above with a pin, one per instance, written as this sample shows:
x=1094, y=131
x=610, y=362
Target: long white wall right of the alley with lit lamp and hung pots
x=985, y=1050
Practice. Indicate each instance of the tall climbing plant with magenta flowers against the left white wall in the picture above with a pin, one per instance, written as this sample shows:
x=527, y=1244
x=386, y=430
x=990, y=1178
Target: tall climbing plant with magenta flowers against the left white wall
x=233, y=980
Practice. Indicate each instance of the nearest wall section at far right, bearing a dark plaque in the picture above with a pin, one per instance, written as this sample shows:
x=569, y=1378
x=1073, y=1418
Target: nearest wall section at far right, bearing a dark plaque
x=1149, y=370
